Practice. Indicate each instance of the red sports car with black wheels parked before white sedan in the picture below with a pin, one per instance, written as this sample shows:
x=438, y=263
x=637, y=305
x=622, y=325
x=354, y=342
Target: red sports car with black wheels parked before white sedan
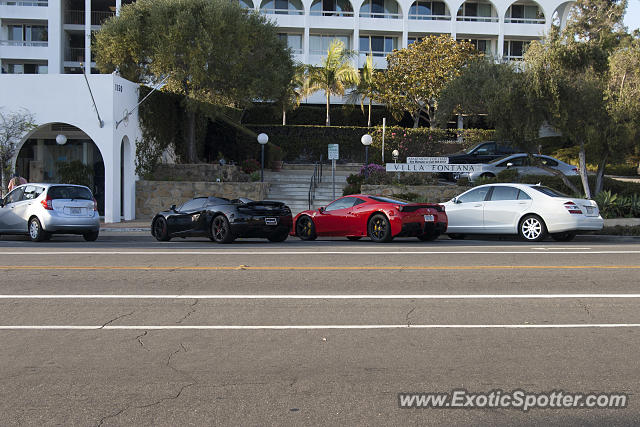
x=381, y=218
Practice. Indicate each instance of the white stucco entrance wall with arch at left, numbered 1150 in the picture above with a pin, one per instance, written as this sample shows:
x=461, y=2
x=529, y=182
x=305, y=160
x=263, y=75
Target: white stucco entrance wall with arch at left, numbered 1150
x=65, y=98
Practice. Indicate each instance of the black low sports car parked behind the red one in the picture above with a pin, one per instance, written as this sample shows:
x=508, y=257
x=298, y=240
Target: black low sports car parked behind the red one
x=223, y=220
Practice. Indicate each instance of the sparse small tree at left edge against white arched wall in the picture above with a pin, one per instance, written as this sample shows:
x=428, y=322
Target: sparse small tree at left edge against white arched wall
x=13, y=127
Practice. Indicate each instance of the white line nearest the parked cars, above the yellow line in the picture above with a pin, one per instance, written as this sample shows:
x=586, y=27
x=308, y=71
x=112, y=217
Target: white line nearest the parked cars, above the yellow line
x=568, y=251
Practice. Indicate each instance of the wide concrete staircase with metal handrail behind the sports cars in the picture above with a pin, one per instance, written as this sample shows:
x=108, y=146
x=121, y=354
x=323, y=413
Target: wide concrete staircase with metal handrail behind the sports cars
x=291, y=185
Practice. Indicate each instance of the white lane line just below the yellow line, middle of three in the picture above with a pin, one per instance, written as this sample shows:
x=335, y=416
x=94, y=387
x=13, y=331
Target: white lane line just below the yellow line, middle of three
x=318, y=297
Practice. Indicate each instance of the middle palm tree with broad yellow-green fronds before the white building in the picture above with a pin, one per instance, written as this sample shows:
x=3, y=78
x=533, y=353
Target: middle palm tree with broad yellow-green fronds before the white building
x=335, y=74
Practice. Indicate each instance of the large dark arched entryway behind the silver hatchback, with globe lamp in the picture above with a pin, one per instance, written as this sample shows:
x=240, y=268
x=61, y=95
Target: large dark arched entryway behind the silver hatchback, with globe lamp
x=57, y=152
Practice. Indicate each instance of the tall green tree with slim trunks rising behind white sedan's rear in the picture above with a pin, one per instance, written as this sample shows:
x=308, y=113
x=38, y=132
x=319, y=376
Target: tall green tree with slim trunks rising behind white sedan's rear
x=570, y=71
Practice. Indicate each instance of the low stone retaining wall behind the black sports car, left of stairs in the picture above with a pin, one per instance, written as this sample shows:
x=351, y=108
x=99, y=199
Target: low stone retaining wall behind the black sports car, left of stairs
x=155, y=196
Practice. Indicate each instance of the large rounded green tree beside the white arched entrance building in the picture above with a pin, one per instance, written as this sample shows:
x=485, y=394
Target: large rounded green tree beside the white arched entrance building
x=209, y=50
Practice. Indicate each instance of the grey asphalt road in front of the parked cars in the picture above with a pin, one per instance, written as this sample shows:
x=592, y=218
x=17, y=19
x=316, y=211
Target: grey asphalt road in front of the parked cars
x=129, y=331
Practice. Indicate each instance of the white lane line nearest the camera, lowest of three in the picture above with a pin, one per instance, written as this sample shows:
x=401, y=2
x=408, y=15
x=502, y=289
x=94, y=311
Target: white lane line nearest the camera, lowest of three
x=308, y=327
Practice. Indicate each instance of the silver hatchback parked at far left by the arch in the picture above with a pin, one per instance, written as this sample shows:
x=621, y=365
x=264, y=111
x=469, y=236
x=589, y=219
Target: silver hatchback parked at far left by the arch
x=40, y=210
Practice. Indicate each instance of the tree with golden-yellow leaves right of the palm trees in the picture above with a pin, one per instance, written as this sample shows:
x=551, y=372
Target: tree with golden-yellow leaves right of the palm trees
x=416, y=75
